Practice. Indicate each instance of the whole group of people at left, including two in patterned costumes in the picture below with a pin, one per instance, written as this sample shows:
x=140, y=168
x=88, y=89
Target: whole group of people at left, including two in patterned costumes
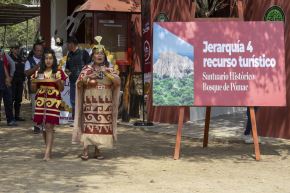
x=94, y=89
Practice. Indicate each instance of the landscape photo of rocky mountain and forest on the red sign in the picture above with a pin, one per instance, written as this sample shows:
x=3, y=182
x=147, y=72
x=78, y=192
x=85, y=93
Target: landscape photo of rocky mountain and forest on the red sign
x=172, y=69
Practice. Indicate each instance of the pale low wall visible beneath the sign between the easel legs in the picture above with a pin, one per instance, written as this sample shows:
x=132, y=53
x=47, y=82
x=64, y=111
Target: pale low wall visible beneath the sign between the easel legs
x=198, y=113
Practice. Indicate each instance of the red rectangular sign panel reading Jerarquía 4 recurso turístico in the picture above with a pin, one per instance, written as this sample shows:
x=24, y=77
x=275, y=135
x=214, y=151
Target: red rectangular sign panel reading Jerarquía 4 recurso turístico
x=229, y=63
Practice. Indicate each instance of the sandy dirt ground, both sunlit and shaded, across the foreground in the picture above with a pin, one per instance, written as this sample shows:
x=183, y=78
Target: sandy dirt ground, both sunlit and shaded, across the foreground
x=142, y=162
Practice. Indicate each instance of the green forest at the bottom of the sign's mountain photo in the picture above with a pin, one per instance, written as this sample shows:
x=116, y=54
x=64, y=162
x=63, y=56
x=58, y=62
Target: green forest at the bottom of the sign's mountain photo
x=173, y=92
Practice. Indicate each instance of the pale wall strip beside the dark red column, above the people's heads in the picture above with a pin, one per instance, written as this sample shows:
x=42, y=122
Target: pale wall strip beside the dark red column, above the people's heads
x=58, y=18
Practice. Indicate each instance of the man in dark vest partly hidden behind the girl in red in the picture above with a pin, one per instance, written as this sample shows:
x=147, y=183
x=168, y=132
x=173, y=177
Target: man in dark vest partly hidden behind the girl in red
x=31, y=66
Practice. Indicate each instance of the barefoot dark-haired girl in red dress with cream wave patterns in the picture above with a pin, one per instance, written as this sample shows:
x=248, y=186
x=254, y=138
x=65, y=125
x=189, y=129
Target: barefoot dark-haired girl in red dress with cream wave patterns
x=48, y=82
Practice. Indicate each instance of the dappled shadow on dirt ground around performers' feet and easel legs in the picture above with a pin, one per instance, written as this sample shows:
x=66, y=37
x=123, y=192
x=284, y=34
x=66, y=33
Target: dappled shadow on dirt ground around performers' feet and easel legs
x=22, y=168
